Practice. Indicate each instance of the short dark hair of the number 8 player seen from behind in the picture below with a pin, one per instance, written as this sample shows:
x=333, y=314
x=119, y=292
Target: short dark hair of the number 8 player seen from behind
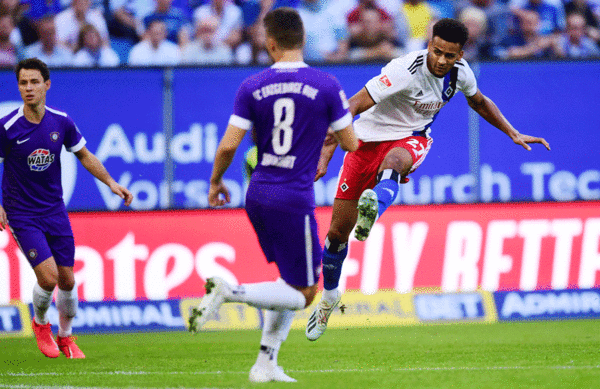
x=285, y=26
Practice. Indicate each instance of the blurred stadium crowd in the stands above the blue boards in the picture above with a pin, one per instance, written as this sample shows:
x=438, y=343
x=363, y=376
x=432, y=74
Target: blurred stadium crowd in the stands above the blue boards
x=109, y=33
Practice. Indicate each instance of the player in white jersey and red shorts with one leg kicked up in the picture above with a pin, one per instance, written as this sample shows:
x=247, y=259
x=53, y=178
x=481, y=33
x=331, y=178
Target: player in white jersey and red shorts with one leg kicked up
x=397, y=109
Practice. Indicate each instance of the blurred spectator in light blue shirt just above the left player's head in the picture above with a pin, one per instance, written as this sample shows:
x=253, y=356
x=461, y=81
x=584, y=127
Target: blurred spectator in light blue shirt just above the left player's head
x=48, y=49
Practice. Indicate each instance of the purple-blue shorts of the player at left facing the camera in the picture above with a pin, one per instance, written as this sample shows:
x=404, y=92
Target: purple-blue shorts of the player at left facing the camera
x=42, y=237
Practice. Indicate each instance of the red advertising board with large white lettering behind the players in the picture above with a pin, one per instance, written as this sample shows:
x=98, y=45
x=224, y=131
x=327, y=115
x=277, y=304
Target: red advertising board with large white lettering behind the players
x=438, y=248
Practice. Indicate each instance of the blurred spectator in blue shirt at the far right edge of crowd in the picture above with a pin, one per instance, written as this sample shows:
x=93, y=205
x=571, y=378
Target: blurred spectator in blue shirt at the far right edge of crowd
x=574, y=43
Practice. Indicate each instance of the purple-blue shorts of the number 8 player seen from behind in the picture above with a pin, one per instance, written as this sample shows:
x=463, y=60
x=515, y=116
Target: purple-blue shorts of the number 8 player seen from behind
x=290, y=239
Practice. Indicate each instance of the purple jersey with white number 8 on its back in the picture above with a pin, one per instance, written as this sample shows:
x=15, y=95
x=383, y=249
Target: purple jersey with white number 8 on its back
x=290, y=106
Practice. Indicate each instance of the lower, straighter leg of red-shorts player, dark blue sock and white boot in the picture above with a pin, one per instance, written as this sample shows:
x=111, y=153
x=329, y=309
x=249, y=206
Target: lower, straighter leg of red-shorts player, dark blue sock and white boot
x=335, y=251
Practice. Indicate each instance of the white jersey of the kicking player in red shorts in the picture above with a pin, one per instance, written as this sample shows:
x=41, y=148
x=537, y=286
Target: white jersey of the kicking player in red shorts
x=408, y=97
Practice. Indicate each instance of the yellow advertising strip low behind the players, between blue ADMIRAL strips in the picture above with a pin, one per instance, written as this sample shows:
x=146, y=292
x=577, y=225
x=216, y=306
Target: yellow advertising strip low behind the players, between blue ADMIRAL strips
x=386, y=308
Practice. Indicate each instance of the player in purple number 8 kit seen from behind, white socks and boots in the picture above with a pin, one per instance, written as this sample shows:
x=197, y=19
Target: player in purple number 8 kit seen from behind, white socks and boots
x=290, y=106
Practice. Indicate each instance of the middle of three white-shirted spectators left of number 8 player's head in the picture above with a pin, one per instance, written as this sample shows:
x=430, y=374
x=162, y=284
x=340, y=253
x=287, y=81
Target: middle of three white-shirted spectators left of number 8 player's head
x=155, y=50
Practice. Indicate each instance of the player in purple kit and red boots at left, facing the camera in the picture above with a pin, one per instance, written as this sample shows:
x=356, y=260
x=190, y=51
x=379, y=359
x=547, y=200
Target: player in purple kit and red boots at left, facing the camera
x=31, y=139
